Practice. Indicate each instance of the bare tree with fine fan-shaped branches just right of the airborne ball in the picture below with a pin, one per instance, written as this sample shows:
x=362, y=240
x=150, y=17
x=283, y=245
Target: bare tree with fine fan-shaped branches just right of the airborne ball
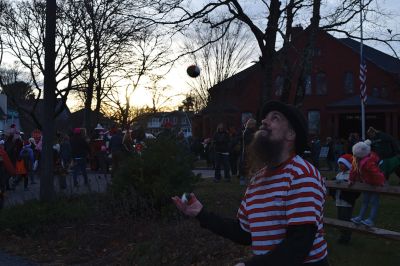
x=219, y=60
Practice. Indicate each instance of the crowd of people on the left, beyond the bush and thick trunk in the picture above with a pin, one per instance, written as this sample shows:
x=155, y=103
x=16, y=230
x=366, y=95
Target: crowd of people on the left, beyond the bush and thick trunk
x=102, y=150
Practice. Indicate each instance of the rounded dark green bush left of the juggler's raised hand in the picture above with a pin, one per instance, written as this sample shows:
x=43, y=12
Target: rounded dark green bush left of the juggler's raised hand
x=162, y=170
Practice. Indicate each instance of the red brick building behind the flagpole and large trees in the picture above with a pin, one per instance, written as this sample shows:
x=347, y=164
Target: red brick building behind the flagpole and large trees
x=332, y=102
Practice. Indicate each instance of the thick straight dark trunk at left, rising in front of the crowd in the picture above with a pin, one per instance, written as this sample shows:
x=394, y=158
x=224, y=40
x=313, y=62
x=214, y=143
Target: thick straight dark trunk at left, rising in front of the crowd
x=49, y=97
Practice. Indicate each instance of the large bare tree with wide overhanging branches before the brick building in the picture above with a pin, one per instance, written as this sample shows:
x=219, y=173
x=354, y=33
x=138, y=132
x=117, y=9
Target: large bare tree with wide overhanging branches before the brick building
x=339, y=18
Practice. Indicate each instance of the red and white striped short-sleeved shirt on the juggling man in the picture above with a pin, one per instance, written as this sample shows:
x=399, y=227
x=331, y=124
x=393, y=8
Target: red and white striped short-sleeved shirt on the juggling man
x=292, y=194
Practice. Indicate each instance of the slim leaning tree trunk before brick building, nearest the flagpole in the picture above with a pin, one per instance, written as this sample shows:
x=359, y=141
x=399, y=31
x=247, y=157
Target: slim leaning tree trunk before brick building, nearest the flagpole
x=308, y=54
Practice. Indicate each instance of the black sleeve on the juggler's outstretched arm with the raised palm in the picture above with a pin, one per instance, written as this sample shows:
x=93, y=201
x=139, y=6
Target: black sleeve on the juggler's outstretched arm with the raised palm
x=225, y=227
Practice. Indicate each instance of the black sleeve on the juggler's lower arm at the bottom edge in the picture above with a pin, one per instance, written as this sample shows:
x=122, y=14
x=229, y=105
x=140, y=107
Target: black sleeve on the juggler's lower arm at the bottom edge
x=292, y=251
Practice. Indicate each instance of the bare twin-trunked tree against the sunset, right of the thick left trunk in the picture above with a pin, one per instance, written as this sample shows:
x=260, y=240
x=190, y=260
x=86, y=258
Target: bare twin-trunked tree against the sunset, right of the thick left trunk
x=106, y=32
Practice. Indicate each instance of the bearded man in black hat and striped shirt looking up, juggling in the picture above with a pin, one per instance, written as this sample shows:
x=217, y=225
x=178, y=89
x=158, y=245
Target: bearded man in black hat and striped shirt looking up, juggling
x=281, y=214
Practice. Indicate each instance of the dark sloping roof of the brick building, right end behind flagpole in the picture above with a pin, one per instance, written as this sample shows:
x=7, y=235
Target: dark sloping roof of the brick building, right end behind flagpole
x=382, y=60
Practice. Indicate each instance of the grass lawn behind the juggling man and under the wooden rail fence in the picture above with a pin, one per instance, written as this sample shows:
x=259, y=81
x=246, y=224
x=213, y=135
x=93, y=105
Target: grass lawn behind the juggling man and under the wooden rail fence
x=363, y=250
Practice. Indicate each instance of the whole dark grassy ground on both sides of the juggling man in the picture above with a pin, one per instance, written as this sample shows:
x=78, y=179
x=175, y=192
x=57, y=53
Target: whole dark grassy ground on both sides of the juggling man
x=177, y=240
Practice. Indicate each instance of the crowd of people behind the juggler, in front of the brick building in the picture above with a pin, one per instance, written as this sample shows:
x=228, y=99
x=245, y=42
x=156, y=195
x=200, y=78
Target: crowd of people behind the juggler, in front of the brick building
x=227, y=151
